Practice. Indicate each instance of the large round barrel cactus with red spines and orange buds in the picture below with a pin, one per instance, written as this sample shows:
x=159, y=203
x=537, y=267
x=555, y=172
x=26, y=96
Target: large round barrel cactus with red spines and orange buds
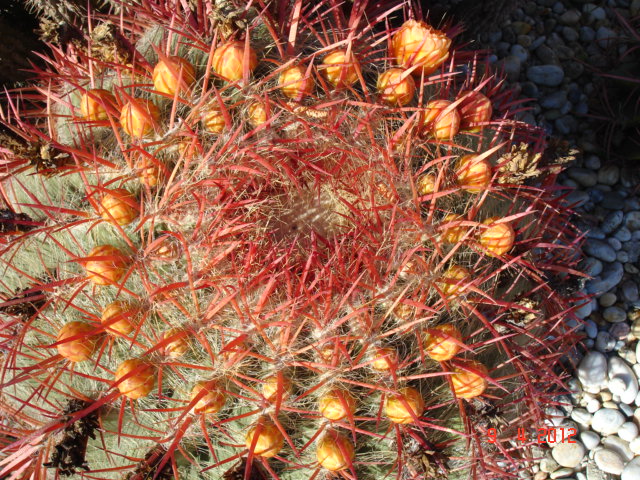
x=307, y=248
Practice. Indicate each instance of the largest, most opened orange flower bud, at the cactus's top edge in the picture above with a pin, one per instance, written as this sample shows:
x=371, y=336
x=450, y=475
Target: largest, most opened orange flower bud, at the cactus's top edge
x=417, y=43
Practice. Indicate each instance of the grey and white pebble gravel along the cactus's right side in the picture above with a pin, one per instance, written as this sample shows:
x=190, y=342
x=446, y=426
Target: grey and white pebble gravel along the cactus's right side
x=549, y=49
